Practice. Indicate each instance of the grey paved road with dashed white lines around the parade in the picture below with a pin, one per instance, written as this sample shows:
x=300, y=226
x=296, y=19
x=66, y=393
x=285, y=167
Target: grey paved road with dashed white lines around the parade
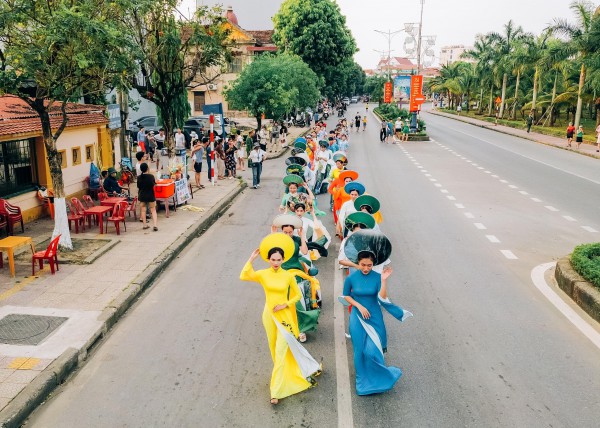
x=485, y=348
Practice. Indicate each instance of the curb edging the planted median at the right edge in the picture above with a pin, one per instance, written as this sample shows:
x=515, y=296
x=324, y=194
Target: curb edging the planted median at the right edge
x=577, y=288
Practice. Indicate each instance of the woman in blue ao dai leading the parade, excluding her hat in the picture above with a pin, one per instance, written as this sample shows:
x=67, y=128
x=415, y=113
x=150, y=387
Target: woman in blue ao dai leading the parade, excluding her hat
x=366, y=291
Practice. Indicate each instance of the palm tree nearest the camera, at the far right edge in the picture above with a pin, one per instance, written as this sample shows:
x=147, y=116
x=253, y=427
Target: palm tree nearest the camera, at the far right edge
x=581, y=42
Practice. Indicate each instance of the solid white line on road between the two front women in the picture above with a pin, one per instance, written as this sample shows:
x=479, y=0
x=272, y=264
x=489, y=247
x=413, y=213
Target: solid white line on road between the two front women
x=342, y=374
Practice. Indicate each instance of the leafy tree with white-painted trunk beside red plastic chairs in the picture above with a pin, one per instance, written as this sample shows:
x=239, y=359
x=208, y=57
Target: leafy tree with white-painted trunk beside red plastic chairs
x=59, y=51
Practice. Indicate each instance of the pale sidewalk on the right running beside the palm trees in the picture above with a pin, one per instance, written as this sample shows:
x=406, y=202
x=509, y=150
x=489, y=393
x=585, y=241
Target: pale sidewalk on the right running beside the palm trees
x=561, y=143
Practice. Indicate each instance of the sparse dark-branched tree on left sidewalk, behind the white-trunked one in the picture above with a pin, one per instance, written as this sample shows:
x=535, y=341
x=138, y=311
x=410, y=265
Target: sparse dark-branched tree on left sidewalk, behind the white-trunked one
x=175, y=53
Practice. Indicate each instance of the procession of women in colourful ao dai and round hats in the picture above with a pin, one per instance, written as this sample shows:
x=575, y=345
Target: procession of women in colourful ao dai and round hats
x=298, y=239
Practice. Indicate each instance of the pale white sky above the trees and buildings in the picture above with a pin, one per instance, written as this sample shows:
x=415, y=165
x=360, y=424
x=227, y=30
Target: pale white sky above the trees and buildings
x=452, y=22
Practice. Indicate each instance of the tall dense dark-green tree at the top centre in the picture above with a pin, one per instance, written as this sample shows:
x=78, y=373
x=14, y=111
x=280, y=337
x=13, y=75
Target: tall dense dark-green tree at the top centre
x=316, y=31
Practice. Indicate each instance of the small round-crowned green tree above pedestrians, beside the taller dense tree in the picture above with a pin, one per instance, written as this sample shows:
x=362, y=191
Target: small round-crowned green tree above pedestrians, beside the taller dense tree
x=274, y=85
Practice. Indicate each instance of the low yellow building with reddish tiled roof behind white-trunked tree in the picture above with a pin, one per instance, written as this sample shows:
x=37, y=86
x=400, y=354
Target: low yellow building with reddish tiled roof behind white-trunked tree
x=23, y=157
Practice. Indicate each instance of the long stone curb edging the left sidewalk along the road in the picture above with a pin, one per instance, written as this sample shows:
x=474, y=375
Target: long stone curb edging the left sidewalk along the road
x=36, y=392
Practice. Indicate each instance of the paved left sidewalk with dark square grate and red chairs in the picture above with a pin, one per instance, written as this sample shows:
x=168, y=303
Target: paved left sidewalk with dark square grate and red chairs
x=57, y=319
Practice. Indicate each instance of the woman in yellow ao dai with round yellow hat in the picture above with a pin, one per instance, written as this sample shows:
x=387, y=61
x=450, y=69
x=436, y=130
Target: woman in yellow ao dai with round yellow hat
x=293, y=371
